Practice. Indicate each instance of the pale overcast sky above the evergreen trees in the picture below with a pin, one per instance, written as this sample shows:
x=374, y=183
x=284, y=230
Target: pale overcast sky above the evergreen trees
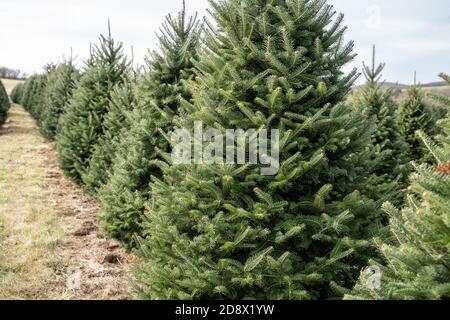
x=409, y=34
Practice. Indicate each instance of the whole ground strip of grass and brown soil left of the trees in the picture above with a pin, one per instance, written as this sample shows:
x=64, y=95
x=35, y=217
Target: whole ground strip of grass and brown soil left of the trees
x=49, y=237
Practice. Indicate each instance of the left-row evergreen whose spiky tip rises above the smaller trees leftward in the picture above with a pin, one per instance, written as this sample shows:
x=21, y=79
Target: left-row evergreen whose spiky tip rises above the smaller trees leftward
x=81, y=126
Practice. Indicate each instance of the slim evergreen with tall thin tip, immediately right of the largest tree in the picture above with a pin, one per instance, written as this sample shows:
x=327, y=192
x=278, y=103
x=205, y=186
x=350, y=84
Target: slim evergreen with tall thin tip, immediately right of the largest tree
x=390, y=151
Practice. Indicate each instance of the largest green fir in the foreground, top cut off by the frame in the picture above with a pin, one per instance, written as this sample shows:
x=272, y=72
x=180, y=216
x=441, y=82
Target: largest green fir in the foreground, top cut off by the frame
x=226, y=231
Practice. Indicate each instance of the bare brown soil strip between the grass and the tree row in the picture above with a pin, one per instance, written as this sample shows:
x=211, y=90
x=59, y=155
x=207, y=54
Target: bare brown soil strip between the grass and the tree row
x=103, y=264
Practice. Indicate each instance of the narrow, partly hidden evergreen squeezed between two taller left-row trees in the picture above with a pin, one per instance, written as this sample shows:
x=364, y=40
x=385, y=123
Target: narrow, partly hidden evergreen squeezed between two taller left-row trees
x=116, y=123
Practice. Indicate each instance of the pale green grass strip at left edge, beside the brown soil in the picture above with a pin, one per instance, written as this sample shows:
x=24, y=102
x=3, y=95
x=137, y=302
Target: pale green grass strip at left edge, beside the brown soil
x=28, y=229
